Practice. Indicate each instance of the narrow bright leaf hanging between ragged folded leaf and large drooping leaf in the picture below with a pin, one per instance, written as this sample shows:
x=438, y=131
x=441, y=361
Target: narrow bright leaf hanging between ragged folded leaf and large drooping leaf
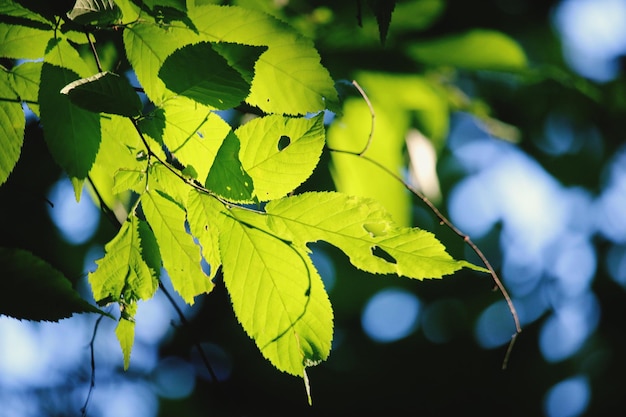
x=181, y=256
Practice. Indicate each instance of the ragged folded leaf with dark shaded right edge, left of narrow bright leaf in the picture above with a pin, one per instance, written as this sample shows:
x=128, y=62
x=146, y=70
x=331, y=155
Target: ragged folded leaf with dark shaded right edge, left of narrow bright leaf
x=130, y=267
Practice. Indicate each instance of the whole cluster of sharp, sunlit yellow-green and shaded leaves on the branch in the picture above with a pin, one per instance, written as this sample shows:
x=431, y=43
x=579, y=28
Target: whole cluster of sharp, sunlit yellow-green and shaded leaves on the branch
x=196, y=188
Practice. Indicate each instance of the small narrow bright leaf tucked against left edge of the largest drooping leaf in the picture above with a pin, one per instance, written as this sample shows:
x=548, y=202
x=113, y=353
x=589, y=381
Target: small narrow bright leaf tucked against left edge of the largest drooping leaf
x=202, y=214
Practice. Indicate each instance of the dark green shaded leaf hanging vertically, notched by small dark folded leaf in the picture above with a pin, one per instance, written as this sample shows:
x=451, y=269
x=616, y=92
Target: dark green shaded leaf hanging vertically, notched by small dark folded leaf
x=72, y=134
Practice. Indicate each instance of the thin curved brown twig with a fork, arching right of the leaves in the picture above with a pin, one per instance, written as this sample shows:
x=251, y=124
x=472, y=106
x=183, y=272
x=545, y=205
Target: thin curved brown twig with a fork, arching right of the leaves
x=444, y=220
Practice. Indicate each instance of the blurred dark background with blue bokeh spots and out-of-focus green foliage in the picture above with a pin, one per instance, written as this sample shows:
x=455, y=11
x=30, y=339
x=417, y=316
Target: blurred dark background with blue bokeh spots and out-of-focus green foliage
x=509, y=116
